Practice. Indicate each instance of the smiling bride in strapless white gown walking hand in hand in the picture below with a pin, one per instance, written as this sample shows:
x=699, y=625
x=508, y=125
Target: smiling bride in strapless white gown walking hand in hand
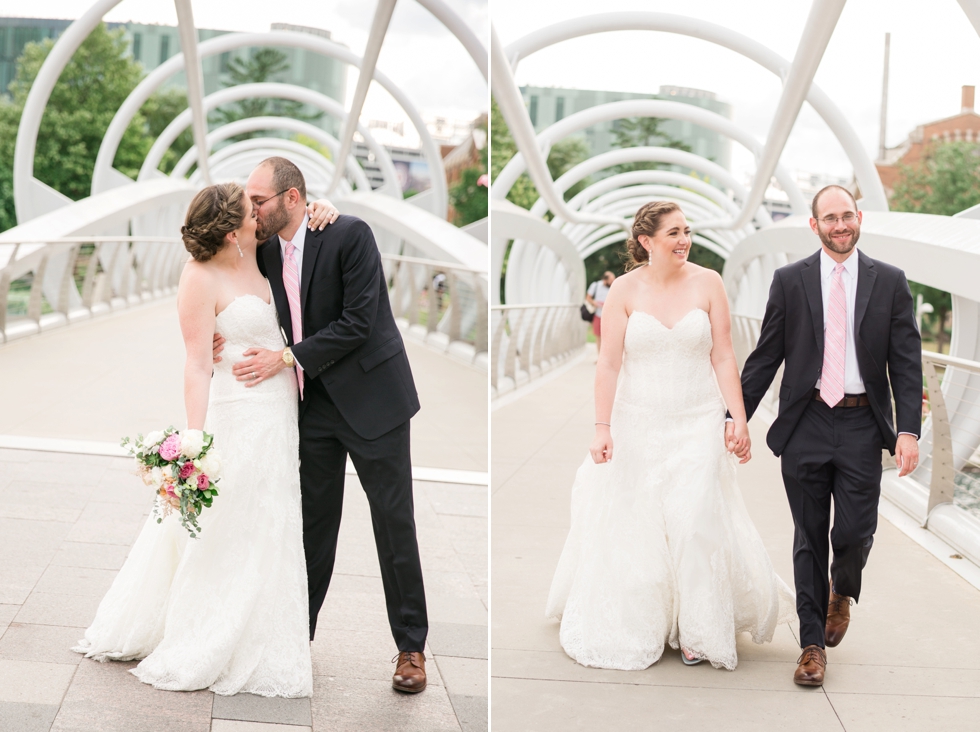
x=661, y=549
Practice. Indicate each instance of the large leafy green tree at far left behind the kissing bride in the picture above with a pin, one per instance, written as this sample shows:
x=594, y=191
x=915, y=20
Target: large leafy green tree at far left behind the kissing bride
x=91, y=88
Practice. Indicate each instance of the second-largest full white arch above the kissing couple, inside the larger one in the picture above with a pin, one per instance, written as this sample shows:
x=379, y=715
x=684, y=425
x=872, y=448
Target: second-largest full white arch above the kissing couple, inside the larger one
x=265, y=89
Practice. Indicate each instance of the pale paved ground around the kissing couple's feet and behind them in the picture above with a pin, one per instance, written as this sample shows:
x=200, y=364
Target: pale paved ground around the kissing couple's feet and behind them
x=69, y=511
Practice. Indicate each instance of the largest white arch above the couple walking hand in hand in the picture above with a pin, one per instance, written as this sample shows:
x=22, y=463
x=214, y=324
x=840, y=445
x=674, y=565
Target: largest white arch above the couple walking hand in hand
x=864, y=171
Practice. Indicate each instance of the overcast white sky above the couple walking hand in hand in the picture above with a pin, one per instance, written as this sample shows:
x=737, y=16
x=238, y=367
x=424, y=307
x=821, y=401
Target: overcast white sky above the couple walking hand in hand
x=934, y=51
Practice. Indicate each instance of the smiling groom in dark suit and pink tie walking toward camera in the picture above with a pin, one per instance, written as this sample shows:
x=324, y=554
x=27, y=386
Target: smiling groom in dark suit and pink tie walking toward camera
x=844, y=325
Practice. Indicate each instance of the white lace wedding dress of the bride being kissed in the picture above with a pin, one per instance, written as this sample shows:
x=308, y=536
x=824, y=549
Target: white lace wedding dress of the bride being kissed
x=227, y=611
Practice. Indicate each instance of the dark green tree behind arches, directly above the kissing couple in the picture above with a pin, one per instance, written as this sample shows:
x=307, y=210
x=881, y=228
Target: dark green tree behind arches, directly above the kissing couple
x=260, y=66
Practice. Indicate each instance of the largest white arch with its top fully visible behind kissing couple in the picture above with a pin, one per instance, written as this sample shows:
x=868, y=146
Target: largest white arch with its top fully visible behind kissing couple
x=110, y=142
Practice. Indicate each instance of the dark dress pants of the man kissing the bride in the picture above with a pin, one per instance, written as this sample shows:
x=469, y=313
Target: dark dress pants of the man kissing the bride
x=384, y=468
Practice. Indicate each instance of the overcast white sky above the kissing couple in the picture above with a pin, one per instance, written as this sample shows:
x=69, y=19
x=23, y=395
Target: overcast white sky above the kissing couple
x=419, y=54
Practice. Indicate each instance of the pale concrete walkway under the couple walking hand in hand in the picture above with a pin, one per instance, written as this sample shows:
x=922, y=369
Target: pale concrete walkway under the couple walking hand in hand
x=909, y=661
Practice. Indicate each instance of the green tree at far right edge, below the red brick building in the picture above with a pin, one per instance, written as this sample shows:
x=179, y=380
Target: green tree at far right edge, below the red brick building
x=945, y=182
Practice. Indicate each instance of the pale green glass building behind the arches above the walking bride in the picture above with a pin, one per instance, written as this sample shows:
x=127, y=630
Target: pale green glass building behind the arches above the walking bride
x=547, y=105
